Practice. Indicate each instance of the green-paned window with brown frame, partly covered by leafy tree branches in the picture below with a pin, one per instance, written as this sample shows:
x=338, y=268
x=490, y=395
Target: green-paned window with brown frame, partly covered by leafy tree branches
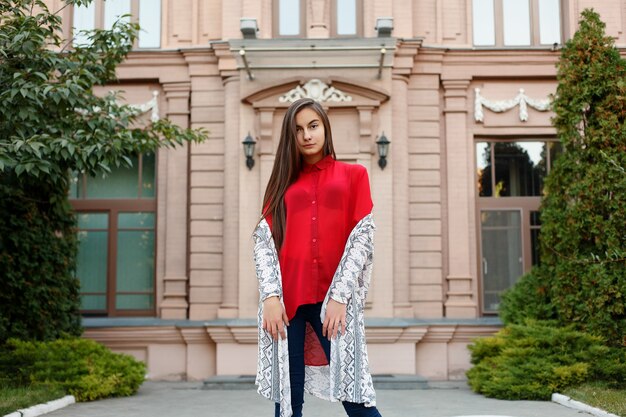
x=116, y=234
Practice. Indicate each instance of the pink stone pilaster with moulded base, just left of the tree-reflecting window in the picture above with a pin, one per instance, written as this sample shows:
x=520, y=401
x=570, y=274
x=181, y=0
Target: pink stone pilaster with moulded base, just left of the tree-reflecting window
x=460, y=302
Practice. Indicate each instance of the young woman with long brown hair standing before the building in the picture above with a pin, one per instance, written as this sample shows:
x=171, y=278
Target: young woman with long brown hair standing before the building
x=313, y=256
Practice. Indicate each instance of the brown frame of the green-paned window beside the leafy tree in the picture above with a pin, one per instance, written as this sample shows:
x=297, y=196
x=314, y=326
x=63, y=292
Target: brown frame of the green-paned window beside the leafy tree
x=112, y=207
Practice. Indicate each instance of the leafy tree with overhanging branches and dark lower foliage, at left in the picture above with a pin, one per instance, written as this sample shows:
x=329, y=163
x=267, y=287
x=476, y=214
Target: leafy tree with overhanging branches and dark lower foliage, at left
x=51, y=124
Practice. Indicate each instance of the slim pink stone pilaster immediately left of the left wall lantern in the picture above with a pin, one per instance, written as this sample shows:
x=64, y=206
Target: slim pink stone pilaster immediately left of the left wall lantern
x=232, y=151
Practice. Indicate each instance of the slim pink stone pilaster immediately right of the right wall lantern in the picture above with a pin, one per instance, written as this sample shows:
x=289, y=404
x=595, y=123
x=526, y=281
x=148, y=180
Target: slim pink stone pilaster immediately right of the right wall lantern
x=400, y=165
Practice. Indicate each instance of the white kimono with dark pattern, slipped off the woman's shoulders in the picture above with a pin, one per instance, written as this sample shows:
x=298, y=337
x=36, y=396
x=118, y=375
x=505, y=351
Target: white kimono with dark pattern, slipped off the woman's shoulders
x=347, y=376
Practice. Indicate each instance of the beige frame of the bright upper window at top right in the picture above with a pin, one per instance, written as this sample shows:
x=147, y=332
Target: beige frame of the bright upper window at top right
x=534, y=30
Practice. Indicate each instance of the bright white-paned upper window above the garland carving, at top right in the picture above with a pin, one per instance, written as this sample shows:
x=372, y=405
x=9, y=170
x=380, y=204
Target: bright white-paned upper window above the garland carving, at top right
x=516, y=23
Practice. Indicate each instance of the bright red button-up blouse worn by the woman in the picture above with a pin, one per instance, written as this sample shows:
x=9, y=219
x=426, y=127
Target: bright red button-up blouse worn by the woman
x=323, y=205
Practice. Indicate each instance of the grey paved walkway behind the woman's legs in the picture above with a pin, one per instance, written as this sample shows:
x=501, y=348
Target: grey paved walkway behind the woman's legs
x=187, y=399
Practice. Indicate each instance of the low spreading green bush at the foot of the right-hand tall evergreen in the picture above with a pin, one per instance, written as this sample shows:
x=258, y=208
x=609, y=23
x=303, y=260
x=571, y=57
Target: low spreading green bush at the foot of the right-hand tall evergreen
x=533, y=360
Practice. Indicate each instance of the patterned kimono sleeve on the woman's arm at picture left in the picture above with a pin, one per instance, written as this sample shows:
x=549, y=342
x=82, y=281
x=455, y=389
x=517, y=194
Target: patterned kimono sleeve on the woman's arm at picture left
x=266, y=263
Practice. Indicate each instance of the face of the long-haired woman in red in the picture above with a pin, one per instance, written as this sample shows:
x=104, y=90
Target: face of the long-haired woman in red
x=310, y=135
